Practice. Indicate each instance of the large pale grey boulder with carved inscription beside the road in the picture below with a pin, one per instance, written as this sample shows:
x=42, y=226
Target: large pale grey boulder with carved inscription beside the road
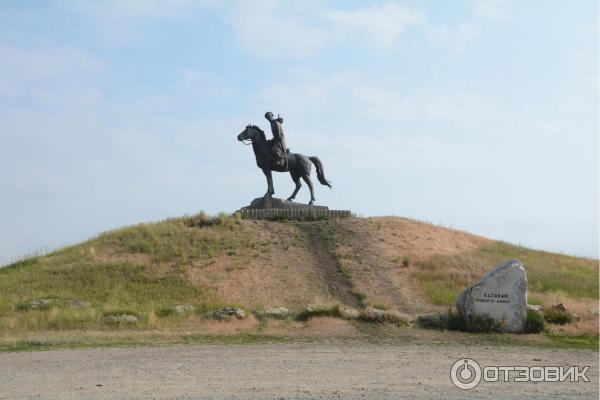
x=500, y=295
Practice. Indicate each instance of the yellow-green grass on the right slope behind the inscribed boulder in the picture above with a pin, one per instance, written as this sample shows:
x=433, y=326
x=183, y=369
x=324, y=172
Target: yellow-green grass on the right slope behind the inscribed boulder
x=552, y=279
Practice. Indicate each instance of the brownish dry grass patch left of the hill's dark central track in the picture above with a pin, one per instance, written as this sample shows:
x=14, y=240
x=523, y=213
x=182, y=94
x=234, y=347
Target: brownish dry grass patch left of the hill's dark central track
x=275, y=268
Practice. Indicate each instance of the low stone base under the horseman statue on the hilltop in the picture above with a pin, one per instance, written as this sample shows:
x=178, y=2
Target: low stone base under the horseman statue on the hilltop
x=275, y=208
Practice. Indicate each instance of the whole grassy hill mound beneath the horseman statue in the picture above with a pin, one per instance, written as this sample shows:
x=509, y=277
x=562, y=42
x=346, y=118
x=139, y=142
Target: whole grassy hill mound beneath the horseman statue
x=385, y=262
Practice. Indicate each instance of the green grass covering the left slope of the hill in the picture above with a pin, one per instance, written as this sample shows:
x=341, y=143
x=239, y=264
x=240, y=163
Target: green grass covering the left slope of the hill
x=105, y=273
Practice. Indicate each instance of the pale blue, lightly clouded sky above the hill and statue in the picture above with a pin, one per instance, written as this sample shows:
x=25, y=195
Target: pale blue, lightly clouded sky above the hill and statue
x=475, y=115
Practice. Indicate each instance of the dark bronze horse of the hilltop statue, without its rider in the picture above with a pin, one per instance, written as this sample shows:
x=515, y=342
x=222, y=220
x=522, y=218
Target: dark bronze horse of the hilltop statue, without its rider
x=298, y=165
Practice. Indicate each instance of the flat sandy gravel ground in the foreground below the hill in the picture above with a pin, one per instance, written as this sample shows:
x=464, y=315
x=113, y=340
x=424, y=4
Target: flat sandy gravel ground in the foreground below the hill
x=279, y=371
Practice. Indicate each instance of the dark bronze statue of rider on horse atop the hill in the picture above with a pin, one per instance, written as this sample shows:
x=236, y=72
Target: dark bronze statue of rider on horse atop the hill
x=273, y=155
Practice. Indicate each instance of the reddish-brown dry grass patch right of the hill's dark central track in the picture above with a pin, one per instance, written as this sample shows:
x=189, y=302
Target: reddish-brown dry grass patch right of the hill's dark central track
x=373, y=252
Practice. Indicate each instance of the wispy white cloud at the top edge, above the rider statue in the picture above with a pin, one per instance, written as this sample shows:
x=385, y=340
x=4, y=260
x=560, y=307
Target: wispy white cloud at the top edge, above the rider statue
x=278, y=29
